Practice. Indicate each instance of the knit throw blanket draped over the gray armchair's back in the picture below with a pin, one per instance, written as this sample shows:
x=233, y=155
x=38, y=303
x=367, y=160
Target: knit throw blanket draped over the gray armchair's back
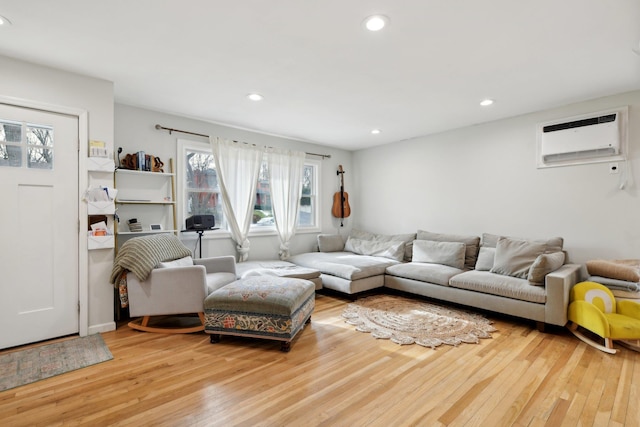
x=141, y=254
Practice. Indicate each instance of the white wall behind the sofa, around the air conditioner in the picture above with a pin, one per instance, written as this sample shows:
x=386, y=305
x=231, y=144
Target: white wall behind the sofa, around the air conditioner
x=484, y=179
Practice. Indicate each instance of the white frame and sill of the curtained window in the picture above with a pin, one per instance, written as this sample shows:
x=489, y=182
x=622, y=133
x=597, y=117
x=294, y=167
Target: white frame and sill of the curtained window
x=184, y=145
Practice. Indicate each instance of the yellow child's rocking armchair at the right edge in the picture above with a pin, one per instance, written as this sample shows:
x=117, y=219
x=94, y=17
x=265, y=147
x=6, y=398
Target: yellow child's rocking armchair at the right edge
x=593, y=307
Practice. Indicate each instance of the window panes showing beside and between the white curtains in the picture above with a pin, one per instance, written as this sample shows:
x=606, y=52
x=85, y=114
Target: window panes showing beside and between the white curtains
x=200, y=193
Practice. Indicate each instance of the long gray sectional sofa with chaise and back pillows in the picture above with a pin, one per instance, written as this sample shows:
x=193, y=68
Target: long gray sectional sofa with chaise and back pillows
x=519, y=277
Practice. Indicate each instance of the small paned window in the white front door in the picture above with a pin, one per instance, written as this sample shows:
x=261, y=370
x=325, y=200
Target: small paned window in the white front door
x=26, y=144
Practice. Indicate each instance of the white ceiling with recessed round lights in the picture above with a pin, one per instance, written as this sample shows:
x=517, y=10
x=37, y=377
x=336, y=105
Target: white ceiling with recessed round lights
x=324, y=78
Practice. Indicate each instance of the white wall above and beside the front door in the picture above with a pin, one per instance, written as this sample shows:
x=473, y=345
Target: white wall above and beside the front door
x=28, y=83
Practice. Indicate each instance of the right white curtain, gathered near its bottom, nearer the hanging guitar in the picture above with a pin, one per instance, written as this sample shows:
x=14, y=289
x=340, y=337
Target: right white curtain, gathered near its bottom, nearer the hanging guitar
x=285, y=182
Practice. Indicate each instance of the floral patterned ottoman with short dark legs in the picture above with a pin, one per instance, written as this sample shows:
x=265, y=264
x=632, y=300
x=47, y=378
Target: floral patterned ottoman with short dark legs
x=269, y=307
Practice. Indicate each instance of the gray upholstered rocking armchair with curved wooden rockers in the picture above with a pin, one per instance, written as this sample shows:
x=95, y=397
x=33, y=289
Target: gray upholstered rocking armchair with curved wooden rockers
x=177, y=289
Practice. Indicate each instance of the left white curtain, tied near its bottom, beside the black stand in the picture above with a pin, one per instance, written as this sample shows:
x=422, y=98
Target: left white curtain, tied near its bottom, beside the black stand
x=237, y=165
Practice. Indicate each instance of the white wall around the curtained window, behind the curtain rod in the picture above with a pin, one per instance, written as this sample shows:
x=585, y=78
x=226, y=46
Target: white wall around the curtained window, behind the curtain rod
x=135, y=130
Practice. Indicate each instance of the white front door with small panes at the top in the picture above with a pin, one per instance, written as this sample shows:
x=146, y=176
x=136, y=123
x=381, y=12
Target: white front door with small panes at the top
x=38, y=225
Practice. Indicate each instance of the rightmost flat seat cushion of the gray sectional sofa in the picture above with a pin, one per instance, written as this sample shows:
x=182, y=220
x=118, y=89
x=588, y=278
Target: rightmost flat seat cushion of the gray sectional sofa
x=497, y=284
